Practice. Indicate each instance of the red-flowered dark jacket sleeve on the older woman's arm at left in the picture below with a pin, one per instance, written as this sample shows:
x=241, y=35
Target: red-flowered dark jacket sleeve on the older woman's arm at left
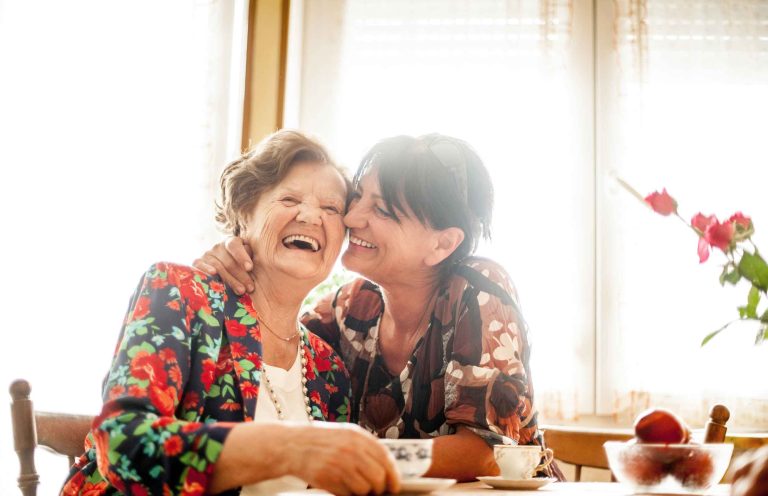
x=142, y=446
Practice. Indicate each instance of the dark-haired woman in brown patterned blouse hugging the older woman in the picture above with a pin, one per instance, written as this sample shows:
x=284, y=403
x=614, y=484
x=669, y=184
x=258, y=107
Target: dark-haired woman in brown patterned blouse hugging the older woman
x=433, y=337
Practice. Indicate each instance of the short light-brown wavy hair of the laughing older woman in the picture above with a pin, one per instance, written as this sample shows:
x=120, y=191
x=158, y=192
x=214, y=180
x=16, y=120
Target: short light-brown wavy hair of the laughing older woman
x=262, y=168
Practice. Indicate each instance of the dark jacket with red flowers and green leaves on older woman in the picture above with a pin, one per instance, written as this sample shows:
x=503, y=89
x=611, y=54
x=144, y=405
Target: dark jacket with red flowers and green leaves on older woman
x=186, y=368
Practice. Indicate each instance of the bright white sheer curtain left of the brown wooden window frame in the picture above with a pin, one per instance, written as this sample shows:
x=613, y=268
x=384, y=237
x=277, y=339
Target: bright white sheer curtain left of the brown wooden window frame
x=115, y=120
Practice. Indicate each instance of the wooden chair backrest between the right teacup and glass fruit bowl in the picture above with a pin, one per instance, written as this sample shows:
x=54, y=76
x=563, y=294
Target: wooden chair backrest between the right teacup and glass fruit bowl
x=581, y=446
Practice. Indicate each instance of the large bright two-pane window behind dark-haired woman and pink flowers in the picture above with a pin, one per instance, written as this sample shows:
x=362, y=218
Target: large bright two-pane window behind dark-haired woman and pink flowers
x=560, y=98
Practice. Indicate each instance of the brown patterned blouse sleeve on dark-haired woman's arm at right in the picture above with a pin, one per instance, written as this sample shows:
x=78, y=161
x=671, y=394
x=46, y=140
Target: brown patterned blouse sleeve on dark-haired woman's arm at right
x=487, y=380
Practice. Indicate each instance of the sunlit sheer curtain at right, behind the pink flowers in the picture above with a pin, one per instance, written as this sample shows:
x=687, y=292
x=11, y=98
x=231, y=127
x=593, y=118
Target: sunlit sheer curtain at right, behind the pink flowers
x=685, y=107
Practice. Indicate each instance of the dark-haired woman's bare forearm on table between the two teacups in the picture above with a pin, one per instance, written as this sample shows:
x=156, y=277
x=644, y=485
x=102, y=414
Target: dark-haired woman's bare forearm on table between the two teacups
x=463, y=456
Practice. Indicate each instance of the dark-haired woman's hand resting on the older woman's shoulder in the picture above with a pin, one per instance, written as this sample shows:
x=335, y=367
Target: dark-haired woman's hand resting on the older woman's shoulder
x=232, y=260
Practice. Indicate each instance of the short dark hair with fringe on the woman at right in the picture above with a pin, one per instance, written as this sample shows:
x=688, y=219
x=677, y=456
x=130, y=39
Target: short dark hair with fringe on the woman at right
x=441, y=179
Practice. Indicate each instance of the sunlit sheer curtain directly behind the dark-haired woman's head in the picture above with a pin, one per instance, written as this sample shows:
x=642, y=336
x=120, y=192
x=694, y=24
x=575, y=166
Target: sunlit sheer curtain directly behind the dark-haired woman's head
x=504, y=76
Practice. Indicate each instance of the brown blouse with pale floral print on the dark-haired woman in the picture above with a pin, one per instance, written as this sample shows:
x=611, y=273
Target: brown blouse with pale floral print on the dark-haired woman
x=471, y=367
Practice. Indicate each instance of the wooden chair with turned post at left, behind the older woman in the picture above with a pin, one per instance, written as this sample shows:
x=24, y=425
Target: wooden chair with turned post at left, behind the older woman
x=60, y=433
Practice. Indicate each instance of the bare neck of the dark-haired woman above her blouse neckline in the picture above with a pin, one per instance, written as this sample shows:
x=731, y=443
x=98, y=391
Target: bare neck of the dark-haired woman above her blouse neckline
x=406, y=305
